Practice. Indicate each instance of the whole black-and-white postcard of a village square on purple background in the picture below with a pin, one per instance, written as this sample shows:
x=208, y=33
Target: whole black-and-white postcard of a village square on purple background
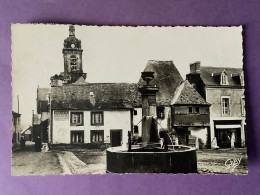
x=102, y=100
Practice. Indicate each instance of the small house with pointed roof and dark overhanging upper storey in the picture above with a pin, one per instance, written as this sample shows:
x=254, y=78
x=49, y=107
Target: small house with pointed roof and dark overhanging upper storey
x=190, y=115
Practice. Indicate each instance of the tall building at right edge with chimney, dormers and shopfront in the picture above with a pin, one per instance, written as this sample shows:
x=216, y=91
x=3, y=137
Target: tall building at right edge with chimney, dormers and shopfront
x=223, y=88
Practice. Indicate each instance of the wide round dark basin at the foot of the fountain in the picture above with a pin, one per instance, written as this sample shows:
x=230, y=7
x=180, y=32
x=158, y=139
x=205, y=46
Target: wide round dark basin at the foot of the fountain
x=178, y=159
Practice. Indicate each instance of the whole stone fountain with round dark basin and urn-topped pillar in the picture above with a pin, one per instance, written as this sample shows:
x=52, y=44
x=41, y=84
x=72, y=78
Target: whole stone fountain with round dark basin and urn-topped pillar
x=150, y=157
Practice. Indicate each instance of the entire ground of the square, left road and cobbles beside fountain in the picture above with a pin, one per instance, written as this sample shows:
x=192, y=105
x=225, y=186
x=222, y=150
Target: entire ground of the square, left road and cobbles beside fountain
x=93, y=161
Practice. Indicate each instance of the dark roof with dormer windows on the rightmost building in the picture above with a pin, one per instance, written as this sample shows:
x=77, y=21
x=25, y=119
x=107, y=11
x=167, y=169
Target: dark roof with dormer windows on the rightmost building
x=209, y=80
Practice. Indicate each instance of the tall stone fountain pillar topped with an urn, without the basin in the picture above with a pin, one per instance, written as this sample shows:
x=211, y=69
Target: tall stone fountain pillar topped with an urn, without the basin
x=149, y=127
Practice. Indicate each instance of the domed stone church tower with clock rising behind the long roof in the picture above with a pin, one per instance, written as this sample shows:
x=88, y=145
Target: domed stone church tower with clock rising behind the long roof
x=72, y=54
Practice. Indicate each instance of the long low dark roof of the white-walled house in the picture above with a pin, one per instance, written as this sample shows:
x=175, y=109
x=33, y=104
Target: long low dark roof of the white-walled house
x=106, y=96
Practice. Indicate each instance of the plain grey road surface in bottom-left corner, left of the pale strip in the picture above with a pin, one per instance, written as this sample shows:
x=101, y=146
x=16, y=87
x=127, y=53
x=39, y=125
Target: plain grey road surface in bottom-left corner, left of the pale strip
x=29, y=162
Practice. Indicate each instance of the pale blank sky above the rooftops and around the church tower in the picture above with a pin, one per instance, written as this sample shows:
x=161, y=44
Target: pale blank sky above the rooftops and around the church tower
x=113, y=54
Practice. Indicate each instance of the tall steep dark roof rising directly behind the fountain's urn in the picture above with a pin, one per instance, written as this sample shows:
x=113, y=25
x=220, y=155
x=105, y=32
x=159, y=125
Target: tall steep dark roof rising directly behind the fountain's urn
x=166, y=77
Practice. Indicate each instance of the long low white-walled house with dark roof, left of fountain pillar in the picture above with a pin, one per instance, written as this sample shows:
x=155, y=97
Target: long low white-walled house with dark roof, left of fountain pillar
x=97, y=113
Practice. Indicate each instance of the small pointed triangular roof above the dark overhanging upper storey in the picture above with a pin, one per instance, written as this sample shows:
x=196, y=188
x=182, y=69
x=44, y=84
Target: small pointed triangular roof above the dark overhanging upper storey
x=186, y=94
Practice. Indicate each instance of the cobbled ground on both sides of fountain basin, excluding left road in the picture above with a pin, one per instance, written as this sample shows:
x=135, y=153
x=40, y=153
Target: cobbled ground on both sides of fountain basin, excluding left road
x=209, y=161
